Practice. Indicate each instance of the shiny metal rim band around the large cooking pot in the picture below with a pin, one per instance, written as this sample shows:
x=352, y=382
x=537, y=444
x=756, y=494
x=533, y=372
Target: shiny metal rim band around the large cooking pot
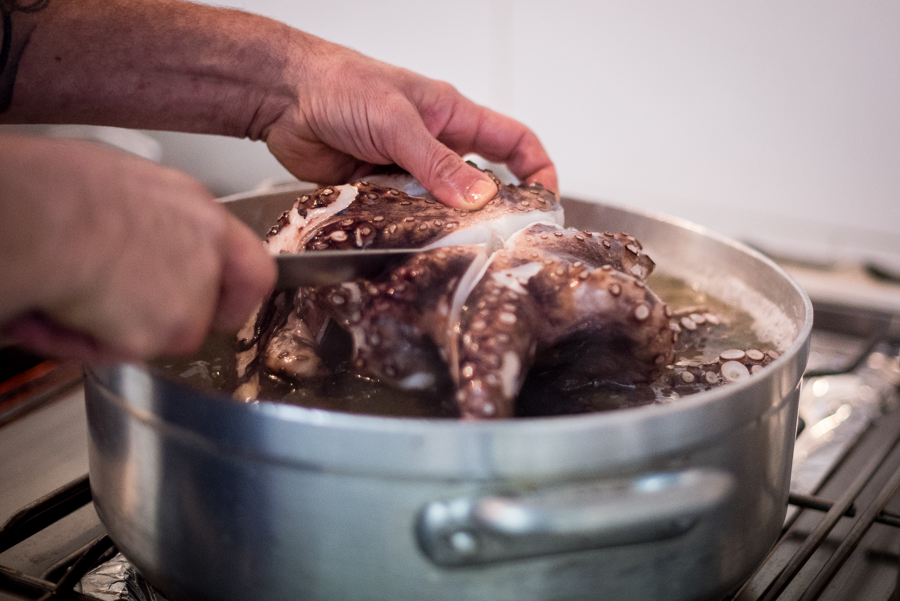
x=382, y=442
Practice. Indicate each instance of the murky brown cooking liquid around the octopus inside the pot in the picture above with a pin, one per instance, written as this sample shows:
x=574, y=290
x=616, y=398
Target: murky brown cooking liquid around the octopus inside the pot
x=549, y=389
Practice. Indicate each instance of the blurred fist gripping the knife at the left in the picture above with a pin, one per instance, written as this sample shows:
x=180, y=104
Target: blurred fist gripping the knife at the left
x=107, y=256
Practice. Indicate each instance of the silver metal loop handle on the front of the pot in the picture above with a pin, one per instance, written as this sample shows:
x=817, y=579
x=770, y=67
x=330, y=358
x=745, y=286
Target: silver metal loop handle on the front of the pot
x=470, y=531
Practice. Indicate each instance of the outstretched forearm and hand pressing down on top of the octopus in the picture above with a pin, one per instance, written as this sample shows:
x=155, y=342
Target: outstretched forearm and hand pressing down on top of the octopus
x=328, y=113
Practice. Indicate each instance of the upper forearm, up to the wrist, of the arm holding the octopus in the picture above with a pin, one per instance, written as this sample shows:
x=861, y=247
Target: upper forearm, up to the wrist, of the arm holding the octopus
x=154, y=64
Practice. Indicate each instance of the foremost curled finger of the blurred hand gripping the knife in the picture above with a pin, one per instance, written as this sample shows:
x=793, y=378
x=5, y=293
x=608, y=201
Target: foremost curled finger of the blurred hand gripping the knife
x=248, y=273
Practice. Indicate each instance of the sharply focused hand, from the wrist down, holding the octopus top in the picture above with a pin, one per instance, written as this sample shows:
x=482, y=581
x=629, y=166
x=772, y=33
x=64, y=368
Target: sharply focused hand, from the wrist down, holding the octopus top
x=350, y=112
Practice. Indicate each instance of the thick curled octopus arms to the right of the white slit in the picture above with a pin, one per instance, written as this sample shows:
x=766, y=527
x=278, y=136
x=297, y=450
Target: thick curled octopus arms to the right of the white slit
x=550, y=285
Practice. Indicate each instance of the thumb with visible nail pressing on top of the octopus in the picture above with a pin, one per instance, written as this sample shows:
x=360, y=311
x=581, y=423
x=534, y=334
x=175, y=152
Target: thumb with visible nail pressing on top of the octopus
x=442, y=172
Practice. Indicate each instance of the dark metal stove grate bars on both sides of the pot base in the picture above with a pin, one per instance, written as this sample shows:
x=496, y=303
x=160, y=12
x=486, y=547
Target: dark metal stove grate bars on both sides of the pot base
x=879, y=476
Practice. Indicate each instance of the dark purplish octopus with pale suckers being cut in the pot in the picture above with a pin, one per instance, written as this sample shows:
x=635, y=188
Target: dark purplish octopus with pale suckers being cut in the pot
x=492, y=294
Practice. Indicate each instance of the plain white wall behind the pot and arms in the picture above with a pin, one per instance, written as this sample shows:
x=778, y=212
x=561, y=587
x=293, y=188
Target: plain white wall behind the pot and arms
x=776, y=122
